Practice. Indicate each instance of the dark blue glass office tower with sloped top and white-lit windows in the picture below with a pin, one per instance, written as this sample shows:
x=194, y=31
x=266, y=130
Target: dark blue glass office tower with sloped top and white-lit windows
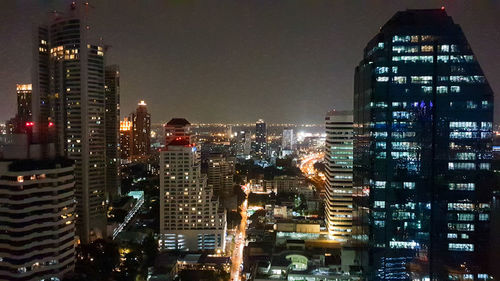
x=423, y=114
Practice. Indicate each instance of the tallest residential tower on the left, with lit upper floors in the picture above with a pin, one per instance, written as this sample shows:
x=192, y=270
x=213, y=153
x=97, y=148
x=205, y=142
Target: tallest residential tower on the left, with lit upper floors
x=68, y=94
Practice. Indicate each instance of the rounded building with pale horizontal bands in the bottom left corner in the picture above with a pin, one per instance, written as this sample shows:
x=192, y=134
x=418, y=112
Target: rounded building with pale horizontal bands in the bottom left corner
x=37, y=213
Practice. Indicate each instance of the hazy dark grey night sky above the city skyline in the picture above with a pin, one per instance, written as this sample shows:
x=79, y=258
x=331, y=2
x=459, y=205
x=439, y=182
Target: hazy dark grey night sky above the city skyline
x=235, y=60
